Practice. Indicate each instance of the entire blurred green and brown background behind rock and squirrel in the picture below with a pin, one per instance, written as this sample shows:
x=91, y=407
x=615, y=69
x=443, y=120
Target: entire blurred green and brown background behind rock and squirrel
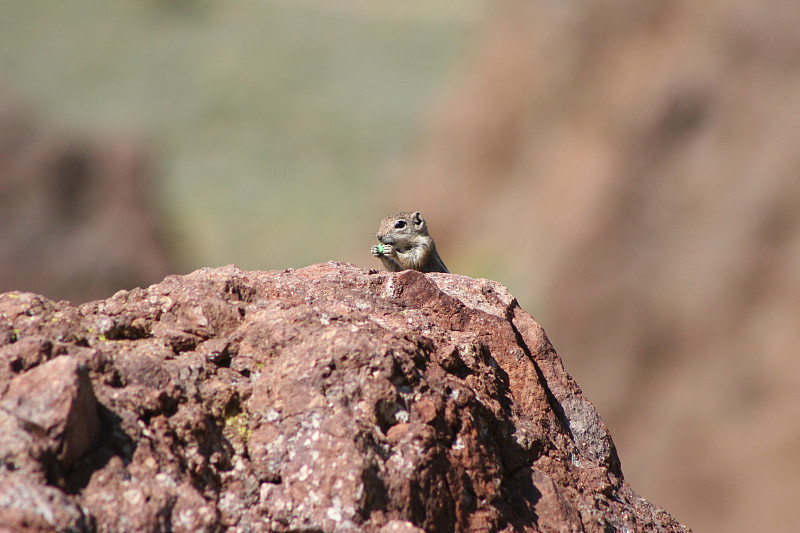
x=631, y=170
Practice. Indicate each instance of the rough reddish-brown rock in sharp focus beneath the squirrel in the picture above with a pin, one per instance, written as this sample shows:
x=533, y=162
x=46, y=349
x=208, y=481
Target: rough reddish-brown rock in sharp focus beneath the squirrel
x=328, y=398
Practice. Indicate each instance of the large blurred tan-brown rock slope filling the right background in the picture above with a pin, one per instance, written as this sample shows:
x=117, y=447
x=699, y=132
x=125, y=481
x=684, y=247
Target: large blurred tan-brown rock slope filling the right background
x=631, y=170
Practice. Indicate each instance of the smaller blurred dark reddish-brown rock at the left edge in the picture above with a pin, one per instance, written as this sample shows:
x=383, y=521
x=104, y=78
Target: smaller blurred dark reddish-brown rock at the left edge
x=76, y=216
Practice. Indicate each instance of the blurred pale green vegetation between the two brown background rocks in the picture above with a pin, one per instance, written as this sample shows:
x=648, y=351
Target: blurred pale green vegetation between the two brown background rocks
x=271, y=124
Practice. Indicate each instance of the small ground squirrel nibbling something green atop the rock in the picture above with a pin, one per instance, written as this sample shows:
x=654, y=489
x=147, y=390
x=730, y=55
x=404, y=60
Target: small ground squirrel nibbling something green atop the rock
x=405, y=243
